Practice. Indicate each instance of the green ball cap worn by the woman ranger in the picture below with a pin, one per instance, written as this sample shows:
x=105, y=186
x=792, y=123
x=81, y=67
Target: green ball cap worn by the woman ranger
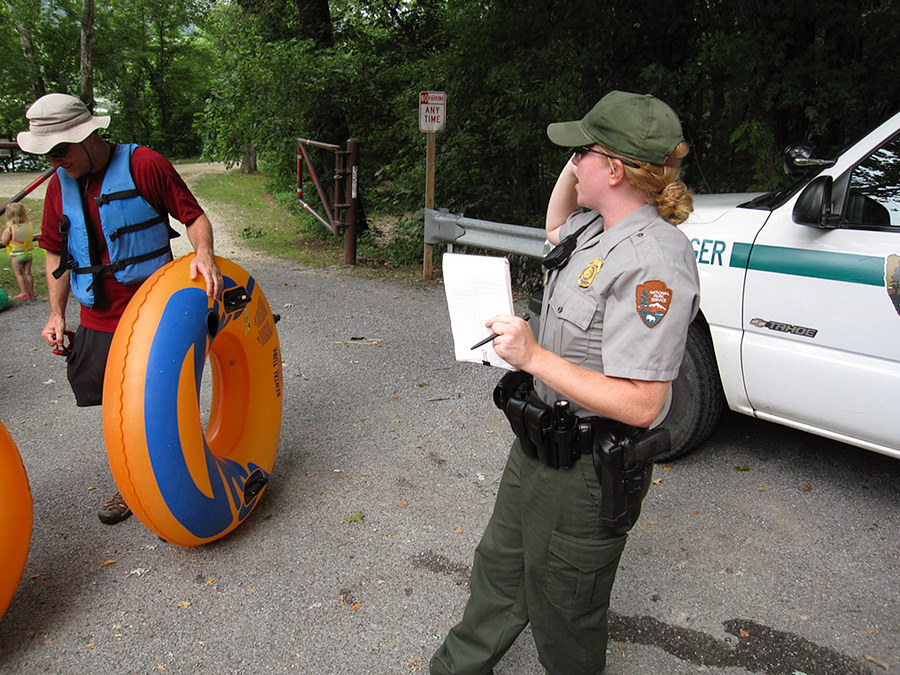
x=637, y=126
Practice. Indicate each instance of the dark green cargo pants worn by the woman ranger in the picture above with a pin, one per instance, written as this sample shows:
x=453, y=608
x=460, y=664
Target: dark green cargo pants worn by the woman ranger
x=544, y=559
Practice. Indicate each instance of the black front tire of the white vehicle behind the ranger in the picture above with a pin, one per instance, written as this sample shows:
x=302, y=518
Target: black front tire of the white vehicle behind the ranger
x=697, y=397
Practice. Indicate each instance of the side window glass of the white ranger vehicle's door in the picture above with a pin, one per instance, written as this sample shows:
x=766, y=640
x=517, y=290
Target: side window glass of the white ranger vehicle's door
x=873, y=197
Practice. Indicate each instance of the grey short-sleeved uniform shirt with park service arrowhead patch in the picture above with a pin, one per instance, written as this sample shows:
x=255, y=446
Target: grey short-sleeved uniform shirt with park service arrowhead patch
x=622, y=304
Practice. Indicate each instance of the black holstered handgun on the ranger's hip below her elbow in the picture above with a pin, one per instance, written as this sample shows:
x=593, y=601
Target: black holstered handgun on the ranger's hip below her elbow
x=623, y=462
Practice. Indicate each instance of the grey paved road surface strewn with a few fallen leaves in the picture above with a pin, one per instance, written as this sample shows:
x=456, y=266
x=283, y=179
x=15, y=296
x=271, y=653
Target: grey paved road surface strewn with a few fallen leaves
x=790, y=565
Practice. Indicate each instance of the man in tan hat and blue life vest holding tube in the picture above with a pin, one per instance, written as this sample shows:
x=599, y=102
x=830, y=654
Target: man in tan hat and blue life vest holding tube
x=105, y=229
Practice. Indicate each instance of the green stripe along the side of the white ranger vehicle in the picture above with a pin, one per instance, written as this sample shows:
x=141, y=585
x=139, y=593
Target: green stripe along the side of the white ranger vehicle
x=846, y=267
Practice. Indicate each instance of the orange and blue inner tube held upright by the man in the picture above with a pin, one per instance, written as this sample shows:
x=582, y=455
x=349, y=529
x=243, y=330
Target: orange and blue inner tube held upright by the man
x=190, y=485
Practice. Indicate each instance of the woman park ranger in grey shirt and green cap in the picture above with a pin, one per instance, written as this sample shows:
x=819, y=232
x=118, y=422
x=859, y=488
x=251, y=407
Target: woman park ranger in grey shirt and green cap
x=621, y=289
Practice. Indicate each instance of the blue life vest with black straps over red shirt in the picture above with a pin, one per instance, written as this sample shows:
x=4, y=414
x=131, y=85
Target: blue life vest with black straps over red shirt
x=137, y=237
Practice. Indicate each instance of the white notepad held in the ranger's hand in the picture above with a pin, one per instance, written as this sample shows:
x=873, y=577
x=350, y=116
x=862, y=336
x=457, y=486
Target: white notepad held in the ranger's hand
x=477, y=287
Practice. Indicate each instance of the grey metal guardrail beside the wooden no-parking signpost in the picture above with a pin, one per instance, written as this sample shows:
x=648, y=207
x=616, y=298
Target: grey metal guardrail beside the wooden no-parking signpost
x=442, y=226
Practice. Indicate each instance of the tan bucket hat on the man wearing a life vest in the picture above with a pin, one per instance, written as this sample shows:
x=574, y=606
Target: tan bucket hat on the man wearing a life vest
x=55, y=119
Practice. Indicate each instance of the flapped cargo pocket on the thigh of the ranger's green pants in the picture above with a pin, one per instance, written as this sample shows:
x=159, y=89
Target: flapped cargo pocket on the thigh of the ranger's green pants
x=580, y=572
